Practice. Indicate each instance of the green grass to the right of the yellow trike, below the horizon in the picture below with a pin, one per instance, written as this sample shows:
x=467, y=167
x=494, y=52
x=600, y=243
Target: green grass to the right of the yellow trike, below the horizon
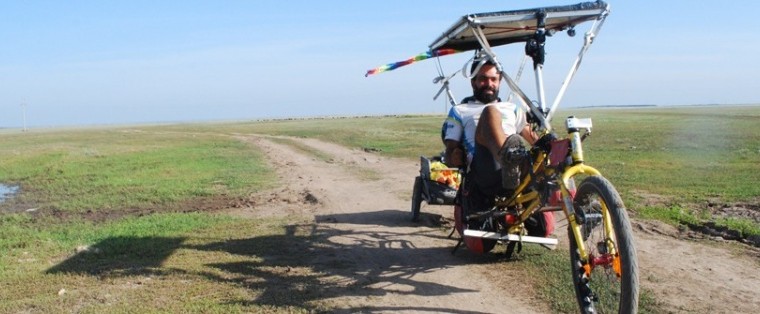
x=690, y=154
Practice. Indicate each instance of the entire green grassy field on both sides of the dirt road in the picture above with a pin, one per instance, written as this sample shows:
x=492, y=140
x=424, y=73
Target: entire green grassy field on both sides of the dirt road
x=668, y=163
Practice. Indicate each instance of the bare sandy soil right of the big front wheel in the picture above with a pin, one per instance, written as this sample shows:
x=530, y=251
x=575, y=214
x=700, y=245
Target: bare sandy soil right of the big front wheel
x=691, y=272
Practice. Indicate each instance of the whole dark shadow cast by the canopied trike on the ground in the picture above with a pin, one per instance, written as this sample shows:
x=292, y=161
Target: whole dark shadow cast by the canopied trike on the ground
x=304, y=266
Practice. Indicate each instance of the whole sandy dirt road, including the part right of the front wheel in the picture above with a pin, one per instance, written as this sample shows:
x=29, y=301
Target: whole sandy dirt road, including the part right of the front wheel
x=388, y=264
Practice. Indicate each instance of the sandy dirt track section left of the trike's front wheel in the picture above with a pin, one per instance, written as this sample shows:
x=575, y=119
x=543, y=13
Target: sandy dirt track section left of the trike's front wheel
x=360, y=206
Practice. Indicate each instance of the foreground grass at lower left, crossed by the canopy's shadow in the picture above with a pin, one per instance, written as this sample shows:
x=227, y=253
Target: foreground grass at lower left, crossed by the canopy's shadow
x=161, y=263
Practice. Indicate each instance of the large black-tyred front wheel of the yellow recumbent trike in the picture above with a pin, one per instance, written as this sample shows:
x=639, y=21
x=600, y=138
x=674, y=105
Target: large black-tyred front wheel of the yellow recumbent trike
x=612, y=286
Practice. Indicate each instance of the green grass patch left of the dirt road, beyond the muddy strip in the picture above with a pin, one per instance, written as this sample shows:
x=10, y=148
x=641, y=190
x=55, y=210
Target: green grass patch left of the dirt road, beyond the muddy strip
x=120, y=168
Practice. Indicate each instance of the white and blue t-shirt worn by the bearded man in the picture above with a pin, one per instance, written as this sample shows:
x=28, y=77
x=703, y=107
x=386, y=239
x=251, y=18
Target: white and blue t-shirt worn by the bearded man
x=462, y=120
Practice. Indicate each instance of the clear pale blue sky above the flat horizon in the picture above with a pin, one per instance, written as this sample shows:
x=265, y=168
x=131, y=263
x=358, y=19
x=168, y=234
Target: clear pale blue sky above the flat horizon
x=122, y=62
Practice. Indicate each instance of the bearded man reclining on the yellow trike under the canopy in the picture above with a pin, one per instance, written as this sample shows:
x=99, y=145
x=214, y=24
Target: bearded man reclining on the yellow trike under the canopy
x=482, y=133
